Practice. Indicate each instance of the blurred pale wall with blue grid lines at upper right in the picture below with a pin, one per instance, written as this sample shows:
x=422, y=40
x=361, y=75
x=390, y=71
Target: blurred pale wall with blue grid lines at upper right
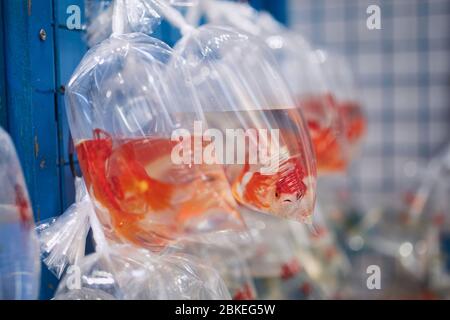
x=405, y=90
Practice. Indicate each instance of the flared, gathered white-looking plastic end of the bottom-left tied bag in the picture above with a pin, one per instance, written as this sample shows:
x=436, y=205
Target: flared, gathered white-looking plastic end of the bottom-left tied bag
x=63, y=239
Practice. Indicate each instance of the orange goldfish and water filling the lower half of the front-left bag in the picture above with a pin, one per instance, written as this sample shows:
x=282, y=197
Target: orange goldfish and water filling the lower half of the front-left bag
x=145, y=197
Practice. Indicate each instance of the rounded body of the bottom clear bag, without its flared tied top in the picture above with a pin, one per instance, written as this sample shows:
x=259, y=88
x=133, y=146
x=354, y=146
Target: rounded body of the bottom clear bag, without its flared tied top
x=125, y=272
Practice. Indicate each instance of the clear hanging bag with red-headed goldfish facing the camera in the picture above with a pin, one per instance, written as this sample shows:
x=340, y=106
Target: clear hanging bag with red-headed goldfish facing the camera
x=237, y=92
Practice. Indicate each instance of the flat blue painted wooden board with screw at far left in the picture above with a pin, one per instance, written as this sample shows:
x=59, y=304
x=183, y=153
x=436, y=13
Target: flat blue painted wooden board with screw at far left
x=30, y=87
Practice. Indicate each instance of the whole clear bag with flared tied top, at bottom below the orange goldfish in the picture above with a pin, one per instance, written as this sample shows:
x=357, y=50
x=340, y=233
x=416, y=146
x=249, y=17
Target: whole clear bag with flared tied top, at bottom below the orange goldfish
x=119, y=271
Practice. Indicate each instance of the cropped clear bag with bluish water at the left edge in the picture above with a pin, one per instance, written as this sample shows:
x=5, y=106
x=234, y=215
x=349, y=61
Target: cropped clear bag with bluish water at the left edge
x=19, y=247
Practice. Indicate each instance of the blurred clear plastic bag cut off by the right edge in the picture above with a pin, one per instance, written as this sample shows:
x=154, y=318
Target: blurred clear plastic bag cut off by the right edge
x=415, y=231
